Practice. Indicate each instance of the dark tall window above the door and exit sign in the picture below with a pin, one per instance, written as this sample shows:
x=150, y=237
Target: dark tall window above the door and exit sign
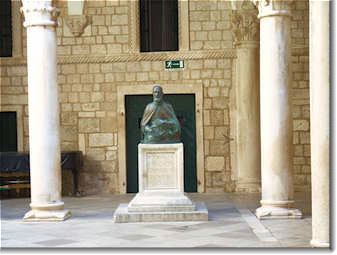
x=158, y=25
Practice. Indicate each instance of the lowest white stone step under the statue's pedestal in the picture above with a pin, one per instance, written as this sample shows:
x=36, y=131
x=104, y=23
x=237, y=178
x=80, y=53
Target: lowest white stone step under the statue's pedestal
x=122, y=215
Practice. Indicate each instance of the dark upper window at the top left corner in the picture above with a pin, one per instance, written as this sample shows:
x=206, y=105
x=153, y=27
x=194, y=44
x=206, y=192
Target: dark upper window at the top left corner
x=5, y=28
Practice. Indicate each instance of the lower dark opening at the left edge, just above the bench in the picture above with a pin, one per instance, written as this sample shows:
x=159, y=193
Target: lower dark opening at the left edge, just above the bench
x=8, y=132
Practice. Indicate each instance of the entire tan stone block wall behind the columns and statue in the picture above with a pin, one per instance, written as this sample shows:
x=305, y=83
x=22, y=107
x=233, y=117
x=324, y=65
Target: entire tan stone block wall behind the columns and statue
x=92, y=66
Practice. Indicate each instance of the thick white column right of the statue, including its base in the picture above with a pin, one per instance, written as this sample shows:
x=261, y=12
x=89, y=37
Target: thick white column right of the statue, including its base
x=275, y=111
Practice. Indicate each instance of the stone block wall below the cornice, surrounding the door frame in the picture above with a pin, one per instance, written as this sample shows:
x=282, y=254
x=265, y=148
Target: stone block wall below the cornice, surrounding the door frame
x=89, y=116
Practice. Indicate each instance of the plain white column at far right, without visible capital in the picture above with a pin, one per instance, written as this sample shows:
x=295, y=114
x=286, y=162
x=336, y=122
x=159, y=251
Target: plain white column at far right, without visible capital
x=319, y=118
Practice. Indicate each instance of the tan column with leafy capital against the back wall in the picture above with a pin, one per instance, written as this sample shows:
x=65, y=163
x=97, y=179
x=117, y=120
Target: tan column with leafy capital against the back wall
x=245, y=28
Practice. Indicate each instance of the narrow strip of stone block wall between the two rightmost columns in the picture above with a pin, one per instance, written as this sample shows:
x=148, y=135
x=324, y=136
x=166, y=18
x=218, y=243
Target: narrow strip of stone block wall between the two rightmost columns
x=301, y=107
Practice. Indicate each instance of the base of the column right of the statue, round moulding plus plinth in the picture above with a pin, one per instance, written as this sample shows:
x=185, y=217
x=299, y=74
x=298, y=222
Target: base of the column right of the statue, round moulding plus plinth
x=277, y=210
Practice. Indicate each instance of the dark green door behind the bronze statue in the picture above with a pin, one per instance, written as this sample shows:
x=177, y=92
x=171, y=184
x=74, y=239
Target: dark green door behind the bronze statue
x=184, y=107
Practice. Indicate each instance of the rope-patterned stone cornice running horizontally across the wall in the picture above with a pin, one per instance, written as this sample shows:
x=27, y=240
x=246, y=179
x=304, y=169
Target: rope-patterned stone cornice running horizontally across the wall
x=218, y=54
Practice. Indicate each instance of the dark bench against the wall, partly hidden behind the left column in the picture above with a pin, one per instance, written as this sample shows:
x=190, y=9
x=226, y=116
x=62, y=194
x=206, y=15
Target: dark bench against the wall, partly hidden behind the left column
x=15, y=169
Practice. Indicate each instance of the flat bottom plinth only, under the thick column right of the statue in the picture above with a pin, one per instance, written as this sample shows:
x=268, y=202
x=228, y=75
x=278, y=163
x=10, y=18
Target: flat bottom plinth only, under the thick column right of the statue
x=274, y=212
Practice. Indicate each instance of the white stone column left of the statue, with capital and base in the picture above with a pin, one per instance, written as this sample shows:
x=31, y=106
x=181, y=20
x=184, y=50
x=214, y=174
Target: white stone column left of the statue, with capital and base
x=43, y=105
